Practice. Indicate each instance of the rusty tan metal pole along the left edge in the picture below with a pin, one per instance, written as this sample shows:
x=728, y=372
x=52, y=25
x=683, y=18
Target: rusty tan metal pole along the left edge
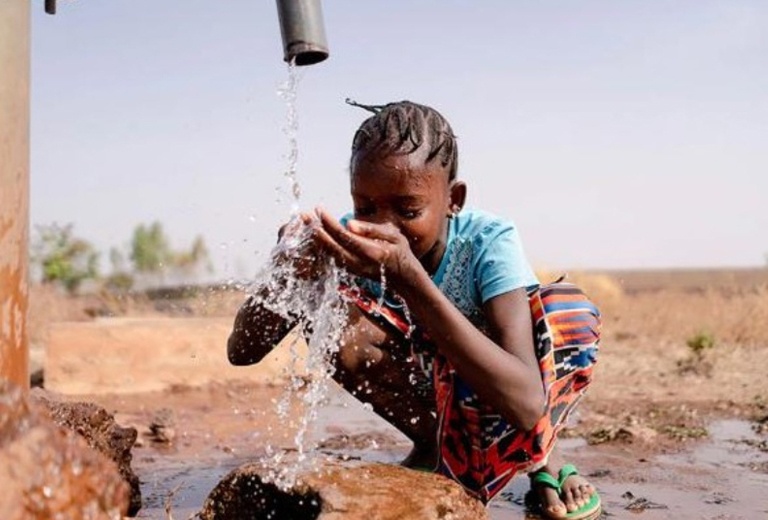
x=14, y=189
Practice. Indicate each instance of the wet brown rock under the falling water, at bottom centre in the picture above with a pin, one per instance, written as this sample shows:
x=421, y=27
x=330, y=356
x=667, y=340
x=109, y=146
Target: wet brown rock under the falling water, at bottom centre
x=366, y=492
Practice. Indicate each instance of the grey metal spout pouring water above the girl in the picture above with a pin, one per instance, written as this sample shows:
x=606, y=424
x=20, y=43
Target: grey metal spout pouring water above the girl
x=301, y=25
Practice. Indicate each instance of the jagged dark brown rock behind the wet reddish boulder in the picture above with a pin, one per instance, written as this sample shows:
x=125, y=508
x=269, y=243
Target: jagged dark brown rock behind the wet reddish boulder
x=99, y=429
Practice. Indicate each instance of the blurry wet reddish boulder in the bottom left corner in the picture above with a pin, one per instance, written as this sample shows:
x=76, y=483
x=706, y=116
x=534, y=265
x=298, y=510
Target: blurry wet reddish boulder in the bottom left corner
x=48, y=471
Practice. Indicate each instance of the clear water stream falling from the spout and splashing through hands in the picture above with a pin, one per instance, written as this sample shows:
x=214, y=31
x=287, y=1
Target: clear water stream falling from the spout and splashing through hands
x=315, y=307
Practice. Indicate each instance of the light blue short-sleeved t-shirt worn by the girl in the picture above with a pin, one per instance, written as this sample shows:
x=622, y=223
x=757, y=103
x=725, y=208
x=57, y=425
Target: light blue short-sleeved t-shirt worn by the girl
x=483, y=259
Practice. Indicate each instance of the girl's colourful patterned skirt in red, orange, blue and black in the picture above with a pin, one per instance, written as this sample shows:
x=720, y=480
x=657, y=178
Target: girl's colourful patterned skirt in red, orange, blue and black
x=478, y=448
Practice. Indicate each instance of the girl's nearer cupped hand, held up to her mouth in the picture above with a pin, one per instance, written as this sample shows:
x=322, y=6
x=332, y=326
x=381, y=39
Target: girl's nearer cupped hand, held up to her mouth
x=364, y=247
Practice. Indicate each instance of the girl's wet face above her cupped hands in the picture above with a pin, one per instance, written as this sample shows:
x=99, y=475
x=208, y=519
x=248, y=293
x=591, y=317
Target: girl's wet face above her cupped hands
x=413, y=196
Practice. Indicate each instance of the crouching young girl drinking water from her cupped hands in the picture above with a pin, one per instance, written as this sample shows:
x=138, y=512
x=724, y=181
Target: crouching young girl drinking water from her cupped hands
x=453, y=357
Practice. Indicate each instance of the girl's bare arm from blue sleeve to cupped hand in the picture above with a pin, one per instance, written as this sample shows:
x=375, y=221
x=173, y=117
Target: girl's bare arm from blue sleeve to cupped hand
x=502, y=370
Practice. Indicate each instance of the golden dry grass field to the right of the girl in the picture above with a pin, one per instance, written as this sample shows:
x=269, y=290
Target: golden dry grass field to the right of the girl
x=673, y=306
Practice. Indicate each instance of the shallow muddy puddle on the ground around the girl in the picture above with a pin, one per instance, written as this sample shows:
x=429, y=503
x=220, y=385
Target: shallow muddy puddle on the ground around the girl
x=724, y=477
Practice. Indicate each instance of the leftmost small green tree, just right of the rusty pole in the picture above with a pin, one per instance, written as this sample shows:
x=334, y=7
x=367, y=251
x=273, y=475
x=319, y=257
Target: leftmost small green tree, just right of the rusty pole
x=64, y=258
